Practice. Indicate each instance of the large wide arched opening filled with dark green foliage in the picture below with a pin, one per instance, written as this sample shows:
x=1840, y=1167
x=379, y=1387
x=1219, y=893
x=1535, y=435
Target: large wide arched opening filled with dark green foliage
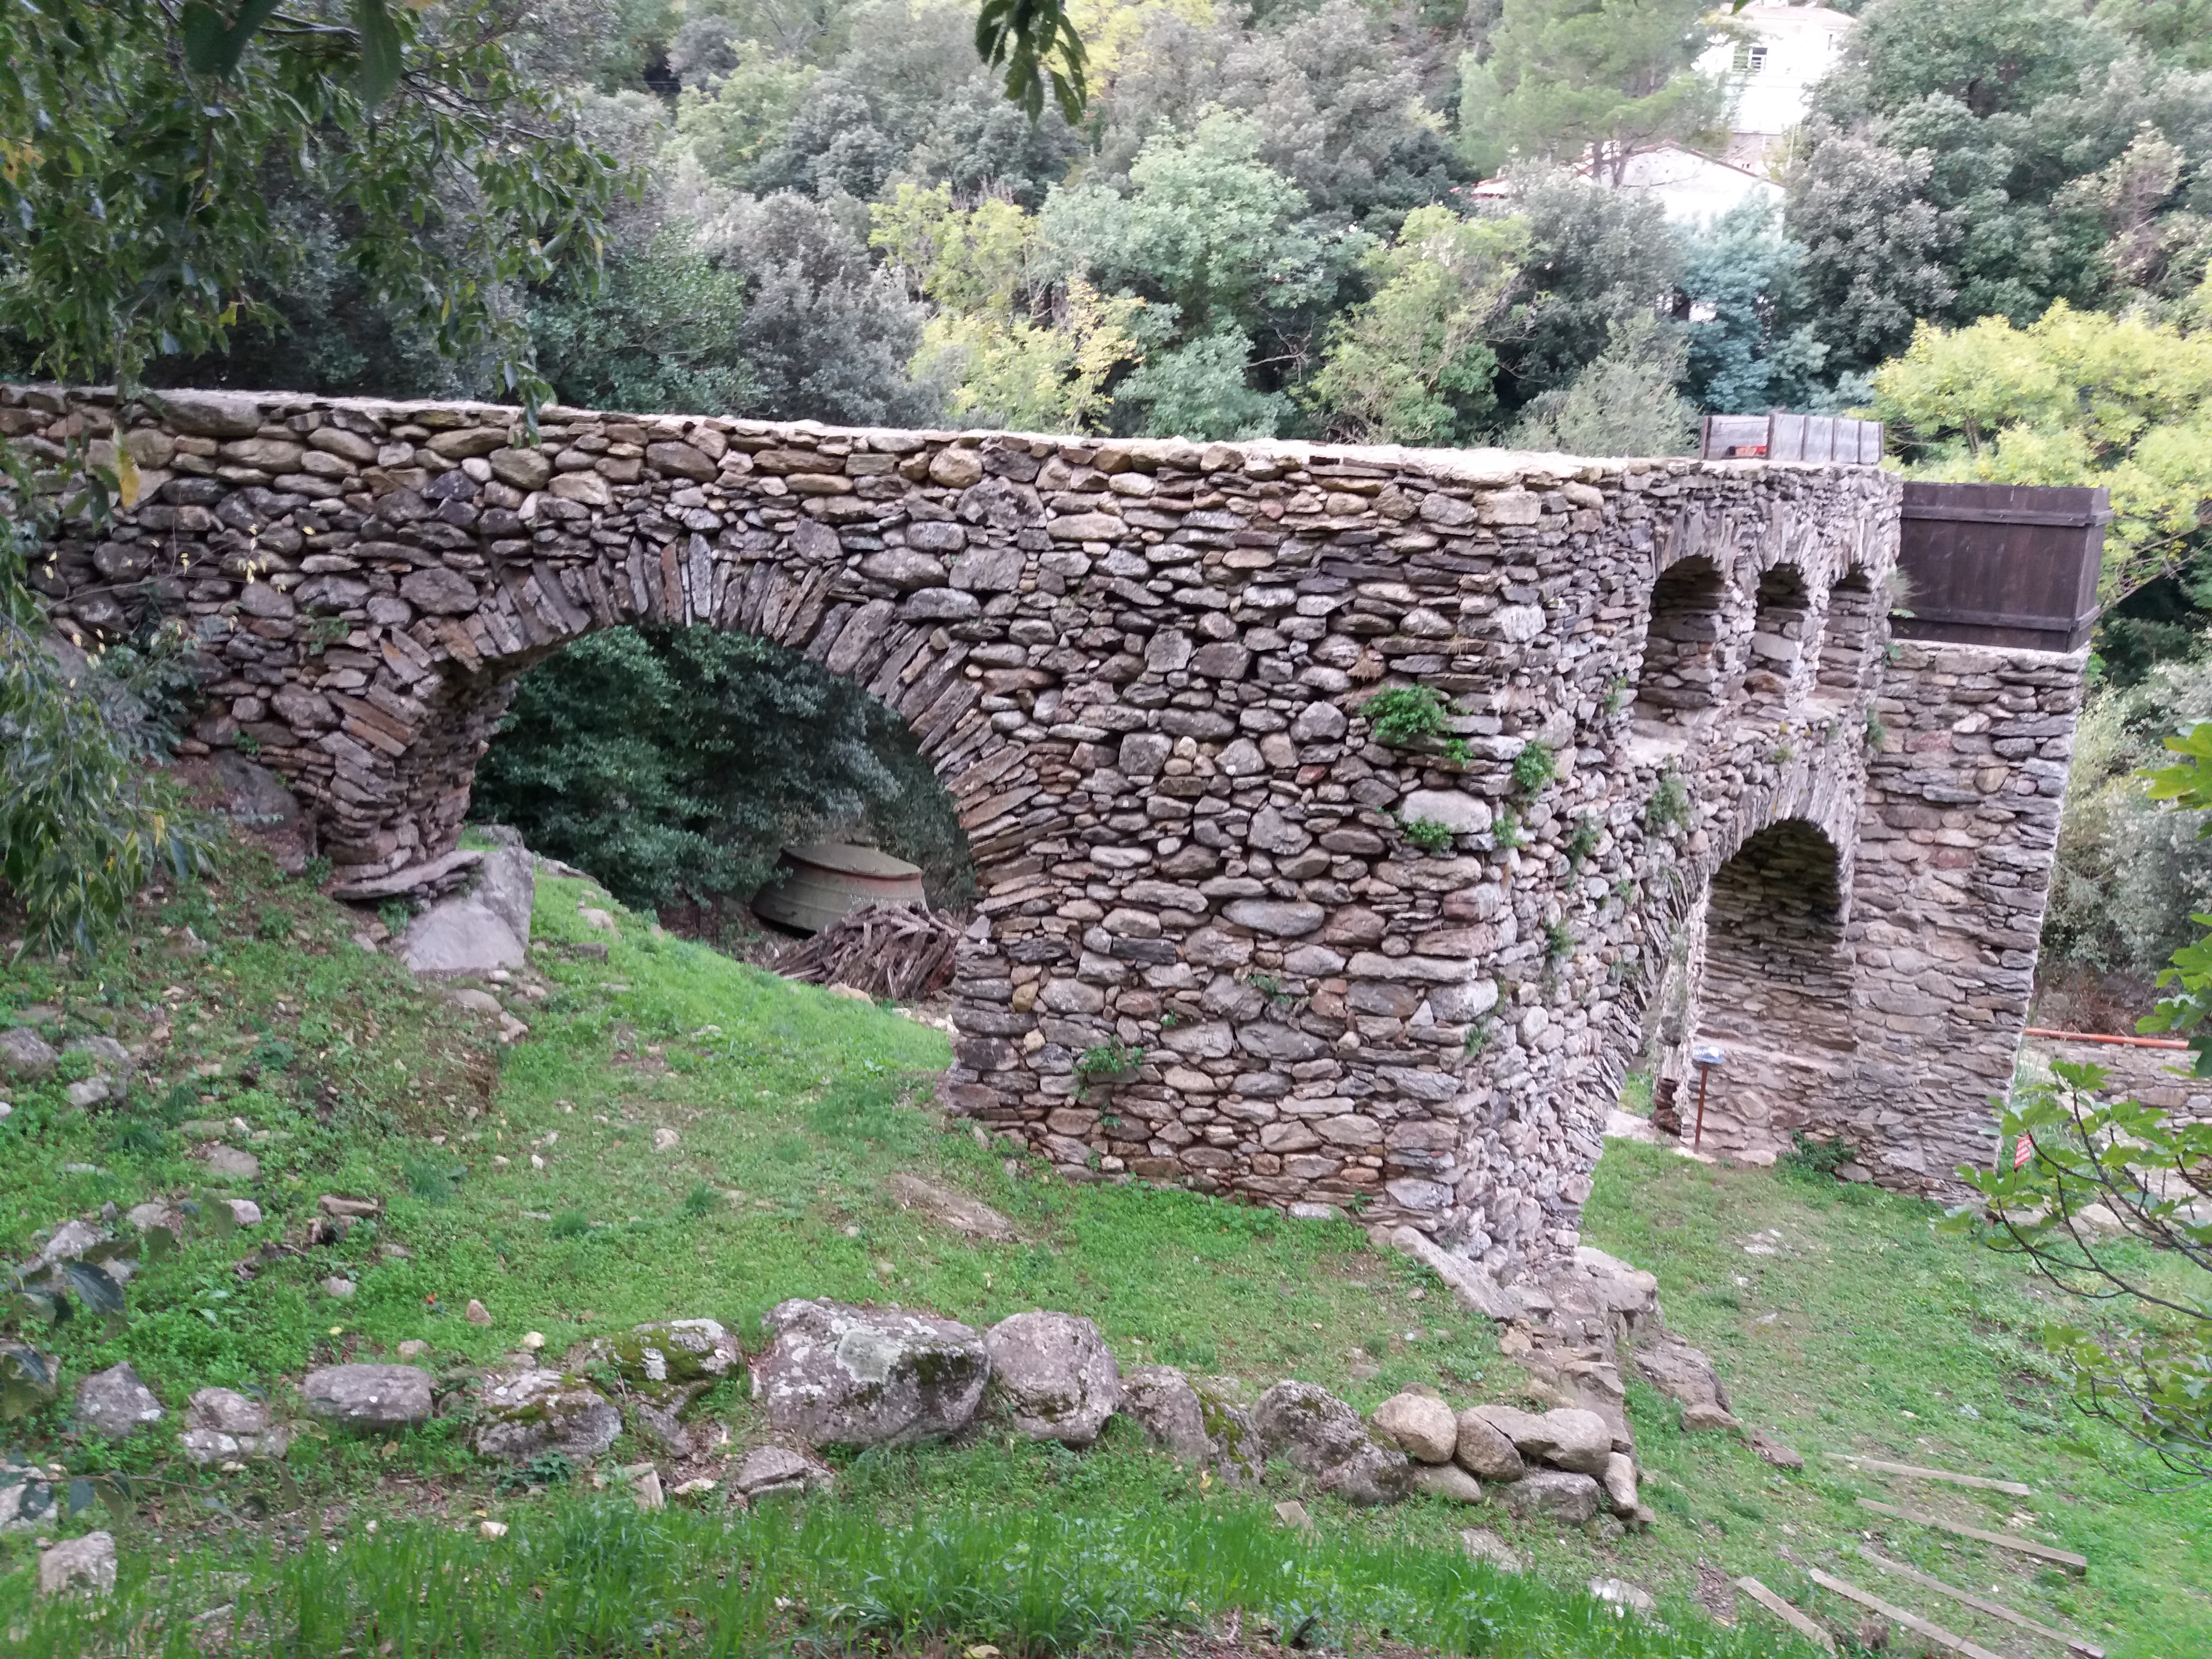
x=676, y=764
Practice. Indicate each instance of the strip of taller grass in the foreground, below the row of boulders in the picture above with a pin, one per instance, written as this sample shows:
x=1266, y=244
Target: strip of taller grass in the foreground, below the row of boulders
x=601, y=1578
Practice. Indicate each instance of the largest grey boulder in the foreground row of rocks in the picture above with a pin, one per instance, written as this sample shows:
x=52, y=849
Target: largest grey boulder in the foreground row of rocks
x=866, y=1377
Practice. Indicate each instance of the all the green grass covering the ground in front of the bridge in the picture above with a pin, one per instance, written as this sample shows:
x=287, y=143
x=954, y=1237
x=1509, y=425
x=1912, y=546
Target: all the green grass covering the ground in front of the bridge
x=791, y=1112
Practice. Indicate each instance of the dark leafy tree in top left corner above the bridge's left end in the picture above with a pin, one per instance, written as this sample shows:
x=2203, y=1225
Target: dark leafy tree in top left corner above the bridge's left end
x=145, y=143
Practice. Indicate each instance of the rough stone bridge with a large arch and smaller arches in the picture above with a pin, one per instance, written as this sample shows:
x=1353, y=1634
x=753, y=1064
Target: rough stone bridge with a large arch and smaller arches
x=1689, y=791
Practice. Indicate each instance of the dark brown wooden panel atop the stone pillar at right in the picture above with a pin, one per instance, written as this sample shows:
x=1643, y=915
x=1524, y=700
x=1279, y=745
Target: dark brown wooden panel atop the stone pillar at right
x=2001, y=565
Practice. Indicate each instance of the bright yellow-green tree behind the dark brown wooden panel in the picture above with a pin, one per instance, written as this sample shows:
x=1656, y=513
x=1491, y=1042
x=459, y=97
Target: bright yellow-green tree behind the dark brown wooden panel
x=2074, y=399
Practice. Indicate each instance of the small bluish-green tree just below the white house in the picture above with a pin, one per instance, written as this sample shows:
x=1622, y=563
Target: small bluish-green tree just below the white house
x=1744, y=293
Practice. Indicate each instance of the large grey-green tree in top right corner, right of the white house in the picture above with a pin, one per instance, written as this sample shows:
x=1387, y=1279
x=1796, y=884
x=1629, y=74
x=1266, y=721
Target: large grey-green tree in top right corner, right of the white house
x=1987, y=158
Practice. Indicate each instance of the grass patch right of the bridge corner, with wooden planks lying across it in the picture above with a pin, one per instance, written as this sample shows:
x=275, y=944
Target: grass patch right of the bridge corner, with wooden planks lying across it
x=1868, y=1333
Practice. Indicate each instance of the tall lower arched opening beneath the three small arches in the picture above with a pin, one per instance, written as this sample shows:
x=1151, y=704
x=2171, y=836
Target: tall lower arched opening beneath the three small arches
x=1775, y=992
